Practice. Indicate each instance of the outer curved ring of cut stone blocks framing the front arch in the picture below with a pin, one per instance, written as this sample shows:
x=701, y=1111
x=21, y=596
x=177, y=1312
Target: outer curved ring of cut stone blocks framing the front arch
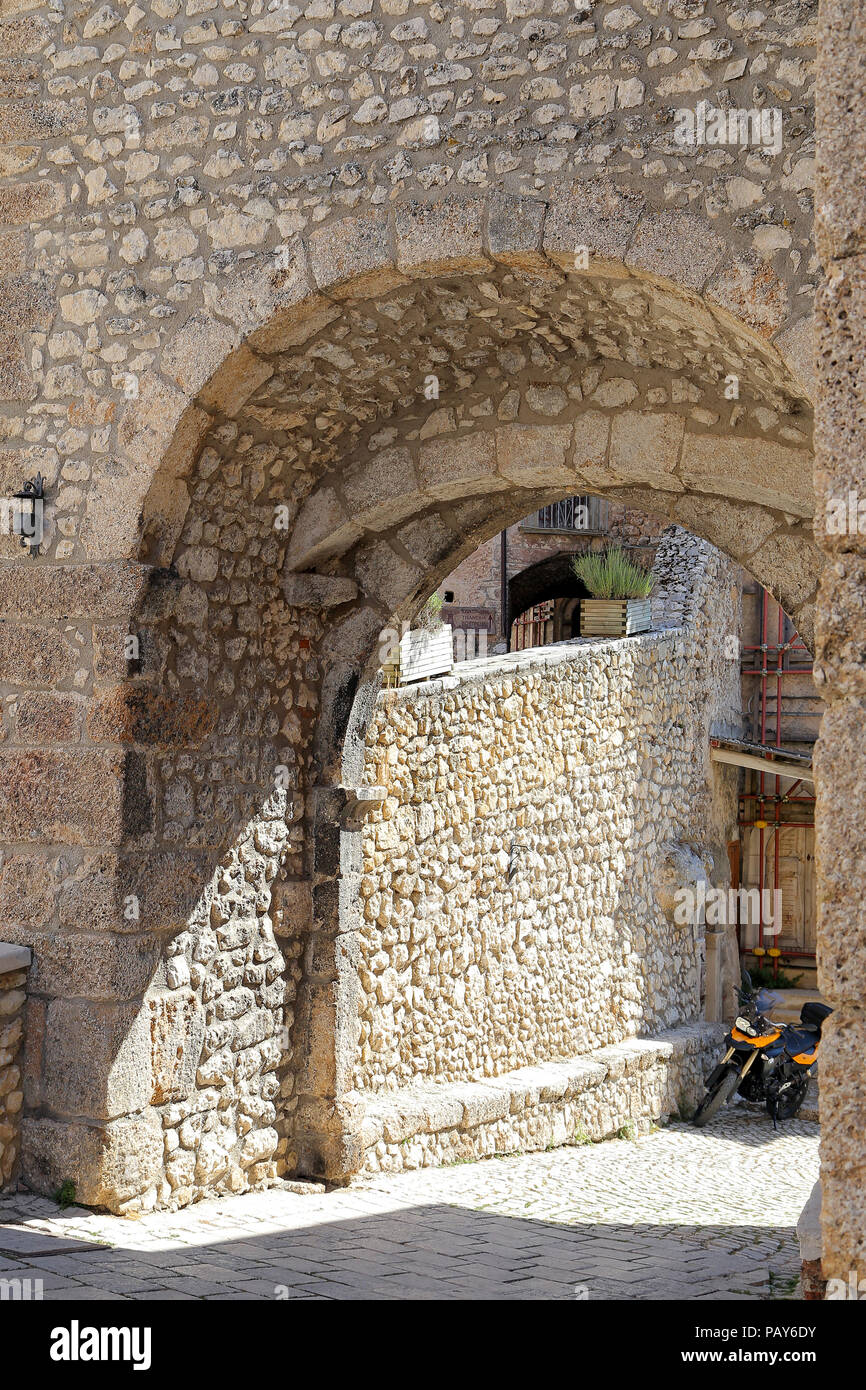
x=220, y=357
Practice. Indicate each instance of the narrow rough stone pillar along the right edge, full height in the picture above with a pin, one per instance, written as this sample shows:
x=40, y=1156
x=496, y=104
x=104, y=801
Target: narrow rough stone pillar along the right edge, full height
x=842, y=628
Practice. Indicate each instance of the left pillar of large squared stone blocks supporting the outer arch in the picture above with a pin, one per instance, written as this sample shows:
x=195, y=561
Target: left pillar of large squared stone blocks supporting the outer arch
x=81, y=883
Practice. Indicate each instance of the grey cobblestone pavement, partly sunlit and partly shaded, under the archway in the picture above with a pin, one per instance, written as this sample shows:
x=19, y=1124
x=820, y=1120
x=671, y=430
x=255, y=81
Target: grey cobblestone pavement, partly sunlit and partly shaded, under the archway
x=678, y=1214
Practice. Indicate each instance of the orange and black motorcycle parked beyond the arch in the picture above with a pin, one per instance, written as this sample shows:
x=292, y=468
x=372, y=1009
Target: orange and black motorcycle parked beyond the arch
x=765, y=1061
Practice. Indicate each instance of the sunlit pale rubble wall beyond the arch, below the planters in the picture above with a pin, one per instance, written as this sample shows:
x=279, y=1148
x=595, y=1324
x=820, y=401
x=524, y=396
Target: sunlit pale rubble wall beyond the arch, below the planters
x=512, y=878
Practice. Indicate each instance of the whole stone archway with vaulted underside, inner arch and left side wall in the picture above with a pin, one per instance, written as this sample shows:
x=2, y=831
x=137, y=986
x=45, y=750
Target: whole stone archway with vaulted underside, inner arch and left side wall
x=311, y=491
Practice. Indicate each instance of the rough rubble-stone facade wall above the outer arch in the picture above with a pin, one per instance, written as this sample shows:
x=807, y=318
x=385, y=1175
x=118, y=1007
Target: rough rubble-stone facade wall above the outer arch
x=152, y=151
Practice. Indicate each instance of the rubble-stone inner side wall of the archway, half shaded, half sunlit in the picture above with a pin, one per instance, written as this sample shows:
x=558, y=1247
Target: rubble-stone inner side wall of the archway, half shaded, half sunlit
x=234, y=983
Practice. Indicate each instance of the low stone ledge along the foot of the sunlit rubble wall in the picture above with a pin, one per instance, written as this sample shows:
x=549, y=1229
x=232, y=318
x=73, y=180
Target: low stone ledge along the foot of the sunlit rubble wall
x=640, y=1079
